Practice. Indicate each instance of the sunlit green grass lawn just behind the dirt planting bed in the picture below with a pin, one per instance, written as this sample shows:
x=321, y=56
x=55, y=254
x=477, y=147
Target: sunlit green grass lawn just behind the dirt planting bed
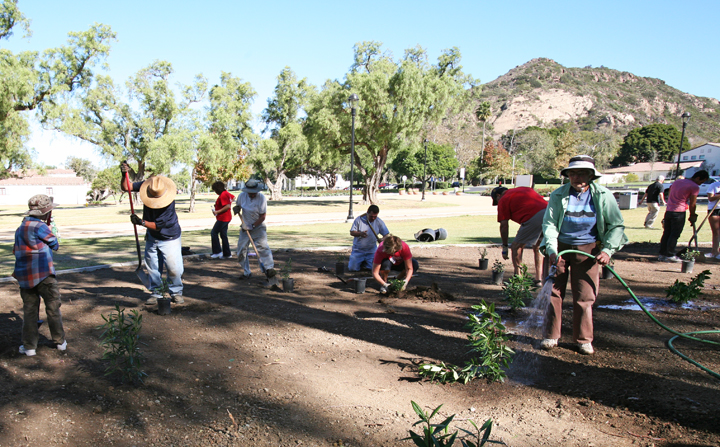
x=75, y=253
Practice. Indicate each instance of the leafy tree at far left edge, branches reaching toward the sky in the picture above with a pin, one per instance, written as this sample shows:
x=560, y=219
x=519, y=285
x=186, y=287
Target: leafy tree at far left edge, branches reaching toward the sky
x=31, y=80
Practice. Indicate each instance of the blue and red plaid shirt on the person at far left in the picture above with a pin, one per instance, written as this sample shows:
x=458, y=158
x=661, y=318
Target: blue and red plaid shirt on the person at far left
x=33, y=258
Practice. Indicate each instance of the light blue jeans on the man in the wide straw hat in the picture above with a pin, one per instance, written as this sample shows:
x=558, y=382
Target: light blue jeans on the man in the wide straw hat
x=160, y=254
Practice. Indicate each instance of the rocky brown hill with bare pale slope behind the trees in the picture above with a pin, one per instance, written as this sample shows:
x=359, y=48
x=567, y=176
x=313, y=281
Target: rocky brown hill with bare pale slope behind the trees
x=547, y=94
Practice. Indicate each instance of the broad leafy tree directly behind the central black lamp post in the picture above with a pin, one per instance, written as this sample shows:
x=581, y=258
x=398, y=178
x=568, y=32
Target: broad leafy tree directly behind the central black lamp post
x=398, y=100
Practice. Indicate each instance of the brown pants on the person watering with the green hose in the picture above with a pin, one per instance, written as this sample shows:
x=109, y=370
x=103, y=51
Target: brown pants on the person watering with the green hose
x=584, y=275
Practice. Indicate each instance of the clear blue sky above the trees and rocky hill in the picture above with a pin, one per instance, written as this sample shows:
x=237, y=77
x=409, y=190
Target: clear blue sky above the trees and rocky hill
x=672, y=41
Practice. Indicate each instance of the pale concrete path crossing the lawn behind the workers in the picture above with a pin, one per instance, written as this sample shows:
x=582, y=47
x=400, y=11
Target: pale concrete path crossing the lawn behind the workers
x=473, y=204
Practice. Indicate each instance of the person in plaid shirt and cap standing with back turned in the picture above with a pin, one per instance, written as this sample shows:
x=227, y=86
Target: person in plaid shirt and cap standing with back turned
x=35, y=274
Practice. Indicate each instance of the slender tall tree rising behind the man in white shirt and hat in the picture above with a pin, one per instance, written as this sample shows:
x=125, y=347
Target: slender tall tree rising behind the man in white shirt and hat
x=286, y=149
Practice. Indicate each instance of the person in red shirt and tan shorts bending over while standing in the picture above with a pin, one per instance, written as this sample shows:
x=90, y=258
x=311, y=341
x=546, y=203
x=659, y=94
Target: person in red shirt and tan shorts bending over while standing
x=525, y=206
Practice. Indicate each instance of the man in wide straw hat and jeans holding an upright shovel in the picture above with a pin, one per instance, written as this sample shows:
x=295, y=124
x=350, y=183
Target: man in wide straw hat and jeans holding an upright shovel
x=163, y=245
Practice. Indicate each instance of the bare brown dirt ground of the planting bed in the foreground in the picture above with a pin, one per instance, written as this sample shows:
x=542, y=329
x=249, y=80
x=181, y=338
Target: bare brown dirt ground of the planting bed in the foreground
x=239, y=364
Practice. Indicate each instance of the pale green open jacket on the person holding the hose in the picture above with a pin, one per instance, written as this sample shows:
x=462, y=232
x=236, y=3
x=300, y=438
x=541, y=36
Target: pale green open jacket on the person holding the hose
x=610, y=224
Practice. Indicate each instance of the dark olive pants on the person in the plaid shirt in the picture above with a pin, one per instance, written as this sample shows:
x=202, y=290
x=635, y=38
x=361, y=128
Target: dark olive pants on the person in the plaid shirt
x=50, y=293
